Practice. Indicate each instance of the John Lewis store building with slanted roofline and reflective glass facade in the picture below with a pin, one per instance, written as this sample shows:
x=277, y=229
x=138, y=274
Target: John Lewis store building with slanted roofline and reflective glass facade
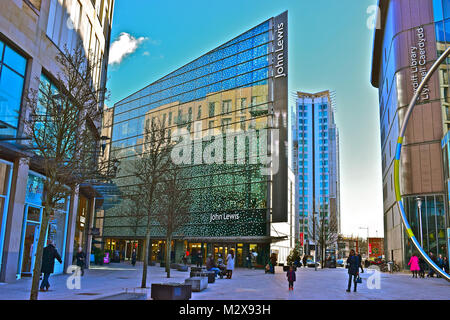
x=227, y=93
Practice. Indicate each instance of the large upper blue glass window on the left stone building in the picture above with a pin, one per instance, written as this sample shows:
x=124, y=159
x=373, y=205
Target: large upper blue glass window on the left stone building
x=12, y=73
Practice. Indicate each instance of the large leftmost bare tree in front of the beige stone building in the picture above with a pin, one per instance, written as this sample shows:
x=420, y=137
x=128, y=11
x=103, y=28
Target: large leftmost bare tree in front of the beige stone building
x=62, y=126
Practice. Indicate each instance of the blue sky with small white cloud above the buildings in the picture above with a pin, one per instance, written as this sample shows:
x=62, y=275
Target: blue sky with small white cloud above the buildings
x=330, y=47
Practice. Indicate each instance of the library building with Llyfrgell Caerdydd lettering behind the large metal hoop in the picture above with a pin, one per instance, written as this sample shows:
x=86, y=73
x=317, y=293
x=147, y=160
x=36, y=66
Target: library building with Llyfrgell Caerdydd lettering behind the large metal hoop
x=412, y=35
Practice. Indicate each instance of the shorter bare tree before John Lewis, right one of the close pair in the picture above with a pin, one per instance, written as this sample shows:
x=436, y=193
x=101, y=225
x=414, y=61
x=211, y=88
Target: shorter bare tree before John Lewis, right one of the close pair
x=173, y=207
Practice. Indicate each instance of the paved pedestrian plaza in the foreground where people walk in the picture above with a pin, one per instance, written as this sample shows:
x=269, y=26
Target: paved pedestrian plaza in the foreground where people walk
x=111, y=281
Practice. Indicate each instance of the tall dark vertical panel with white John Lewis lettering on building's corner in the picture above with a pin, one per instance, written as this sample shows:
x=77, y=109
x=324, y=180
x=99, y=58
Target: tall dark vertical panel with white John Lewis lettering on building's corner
x=280, y=103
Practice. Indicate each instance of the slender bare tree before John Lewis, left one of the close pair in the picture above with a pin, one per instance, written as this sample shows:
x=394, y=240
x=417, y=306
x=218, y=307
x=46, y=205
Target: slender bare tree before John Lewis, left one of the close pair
x=148, y=170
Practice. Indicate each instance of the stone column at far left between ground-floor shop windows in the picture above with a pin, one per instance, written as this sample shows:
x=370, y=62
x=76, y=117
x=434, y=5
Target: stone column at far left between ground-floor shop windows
x=14, y=222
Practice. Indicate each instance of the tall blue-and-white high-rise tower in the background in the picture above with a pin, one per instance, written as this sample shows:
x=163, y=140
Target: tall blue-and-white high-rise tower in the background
x=317, y=153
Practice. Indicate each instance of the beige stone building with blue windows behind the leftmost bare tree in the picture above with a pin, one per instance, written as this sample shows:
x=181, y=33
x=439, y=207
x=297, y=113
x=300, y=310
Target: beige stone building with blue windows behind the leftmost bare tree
x=32, y=34
